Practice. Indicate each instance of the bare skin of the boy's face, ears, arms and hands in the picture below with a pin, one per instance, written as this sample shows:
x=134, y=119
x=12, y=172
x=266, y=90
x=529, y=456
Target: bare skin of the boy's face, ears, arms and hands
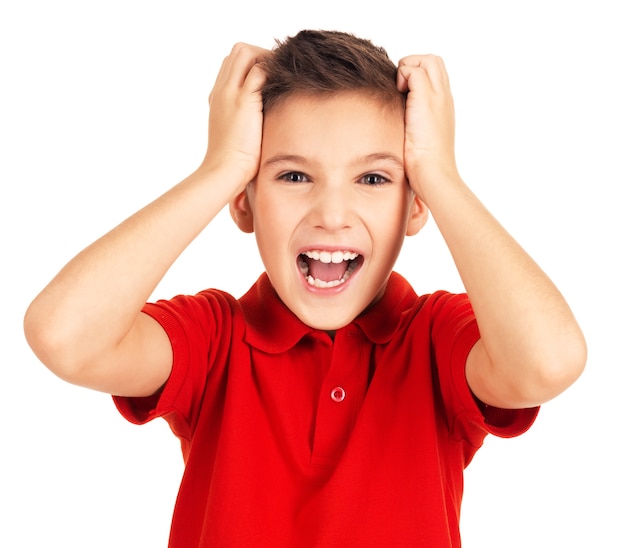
x=87, y=325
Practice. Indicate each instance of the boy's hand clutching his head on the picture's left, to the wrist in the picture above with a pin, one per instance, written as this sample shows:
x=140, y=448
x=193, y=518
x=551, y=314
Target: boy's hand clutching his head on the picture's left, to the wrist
x=236, y=116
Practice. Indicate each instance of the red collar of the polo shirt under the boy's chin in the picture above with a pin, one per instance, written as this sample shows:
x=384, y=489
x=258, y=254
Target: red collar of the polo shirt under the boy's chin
x=273, y=328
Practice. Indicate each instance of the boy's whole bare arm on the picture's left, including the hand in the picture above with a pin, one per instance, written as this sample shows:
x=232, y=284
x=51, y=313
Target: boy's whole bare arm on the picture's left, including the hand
x=87, y=325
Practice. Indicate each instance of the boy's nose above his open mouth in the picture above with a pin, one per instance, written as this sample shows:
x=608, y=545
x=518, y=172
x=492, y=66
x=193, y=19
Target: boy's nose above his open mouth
x=332, y=207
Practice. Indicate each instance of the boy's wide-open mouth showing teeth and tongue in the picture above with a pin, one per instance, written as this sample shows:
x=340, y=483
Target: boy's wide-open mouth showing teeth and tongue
x=328, y=268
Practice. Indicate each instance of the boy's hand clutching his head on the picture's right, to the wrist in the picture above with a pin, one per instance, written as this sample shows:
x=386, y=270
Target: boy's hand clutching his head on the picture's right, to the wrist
x=429, y=121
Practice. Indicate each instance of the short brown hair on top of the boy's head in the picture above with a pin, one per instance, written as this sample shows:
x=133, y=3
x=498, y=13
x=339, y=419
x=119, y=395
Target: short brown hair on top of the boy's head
x=326, y=62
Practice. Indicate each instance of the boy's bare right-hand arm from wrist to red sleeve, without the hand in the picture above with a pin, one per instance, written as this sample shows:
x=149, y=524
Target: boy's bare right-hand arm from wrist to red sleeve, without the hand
x=531, y=346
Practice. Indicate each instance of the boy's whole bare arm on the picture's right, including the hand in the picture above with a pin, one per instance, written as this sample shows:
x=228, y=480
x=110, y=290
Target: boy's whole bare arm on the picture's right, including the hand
x=531, y=347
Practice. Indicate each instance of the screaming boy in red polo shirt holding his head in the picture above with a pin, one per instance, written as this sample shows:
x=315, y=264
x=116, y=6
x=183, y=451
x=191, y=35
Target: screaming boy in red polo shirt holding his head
x=330, y=405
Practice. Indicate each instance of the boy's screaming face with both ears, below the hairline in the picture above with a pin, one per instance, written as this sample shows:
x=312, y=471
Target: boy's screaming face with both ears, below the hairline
x=331, y=204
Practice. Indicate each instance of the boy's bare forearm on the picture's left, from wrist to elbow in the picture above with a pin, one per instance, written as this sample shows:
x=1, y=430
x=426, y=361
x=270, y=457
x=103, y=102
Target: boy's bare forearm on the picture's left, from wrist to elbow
x=90, y=306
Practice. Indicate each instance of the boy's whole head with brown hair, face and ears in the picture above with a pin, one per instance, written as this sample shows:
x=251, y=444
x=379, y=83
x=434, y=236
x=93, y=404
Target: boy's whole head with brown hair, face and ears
x=331, y=204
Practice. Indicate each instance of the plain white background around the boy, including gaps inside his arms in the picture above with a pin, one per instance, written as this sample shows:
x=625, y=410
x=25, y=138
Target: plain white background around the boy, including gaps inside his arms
x=103, y=106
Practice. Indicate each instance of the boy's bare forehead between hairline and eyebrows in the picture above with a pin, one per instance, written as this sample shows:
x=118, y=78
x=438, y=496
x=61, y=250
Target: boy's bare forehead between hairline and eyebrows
x=347, y=123
